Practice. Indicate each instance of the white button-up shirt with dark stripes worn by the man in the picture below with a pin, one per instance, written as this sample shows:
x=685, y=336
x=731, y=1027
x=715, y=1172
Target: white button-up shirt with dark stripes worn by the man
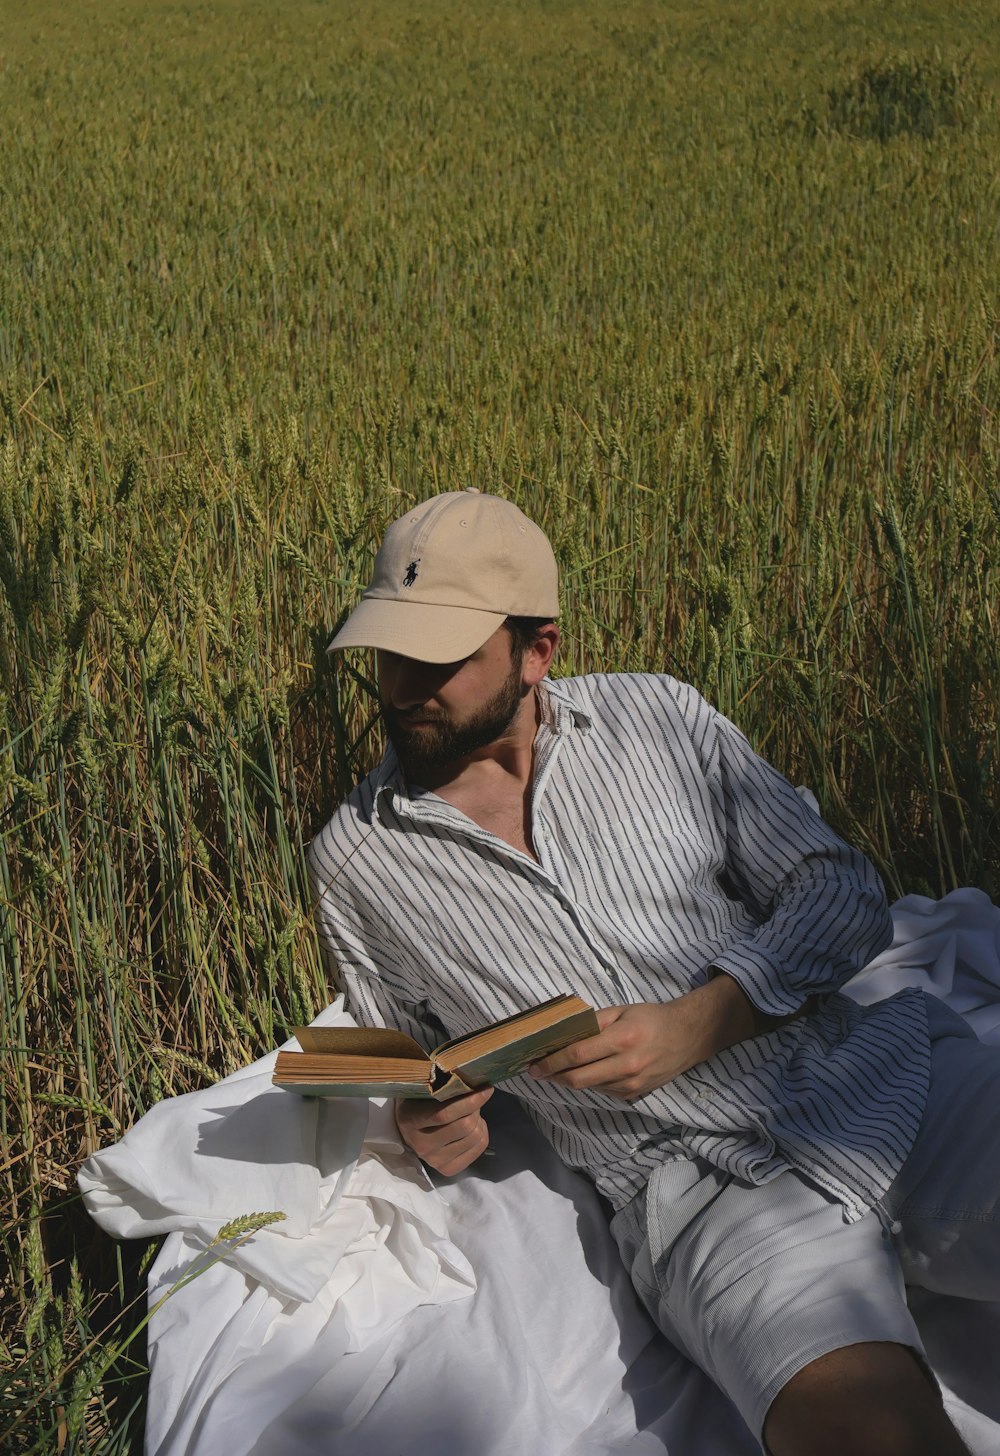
x=664, y=848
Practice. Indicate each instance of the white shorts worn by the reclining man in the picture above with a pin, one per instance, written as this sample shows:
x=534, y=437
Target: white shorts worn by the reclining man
x=753, y=1283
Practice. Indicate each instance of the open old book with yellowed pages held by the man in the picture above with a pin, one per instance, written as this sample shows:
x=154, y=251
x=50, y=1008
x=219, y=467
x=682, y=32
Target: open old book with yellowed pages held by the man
x=375, y=1062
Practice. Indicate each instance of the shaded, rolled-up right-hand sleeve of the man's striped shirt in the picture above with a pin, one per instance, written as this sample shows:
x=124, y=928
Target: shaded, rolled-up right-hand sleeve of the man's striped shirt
x=822, y=906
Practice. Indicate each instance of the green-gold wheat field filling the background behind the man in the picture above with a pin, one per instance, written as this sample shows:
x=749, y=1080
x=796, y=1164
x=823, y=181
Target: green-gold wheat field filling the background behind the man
x=711, y=290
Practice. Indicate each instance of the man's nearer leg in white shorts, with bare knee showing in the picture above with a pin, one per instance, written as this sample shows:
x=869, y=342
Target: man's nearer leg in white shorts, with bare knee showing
x=797, y=1315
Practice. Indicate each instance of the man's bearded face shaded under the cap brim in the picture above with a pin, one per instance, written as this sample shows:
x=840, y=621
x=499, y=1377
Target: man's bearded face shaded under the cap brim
x=440, y=713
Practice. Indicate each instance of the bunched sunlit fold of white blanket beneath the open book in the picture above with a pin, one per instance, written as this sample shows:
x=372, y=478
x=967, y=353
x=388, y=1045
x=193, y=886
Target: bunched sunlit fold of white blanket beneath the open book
x=357, y=1208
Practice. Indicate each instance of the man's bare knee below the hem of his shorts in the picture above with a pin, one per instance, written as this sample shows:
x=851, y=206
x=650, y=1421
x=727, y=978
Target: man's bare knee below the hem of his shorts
x=868, y=1400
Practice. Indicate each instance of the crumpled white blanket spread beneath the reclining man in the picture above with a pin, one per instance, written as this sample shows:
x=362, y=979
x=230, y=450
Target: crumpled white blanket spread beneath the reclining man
x=359, y=1326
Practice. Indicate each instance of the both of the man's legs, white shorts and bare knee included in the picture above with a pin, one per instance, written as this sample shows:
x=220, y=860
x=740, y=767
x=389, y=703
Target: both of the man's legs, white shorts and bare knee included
x=739, y=1276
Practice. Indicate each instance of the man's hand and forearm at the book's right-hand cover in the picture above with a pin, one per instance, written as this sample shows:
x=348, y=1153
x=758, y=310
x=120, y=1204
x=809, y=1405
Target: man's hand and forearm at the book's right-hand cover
x=646, y=1046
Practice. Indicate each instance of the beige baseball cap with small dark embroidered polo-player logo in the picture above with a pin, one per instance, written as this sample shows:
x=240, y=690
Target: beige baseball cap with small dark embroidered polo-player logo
x=448, y=574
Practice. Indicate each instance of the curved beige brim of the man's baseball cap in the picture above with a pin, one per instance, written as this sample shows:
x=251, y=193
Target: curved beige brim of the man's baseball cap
x=416, y=630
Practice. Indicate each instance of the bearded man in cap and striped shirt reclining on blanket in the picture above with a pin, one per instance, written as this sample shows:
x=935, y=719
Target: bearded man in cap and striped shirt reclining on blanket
x=763, y=1141
